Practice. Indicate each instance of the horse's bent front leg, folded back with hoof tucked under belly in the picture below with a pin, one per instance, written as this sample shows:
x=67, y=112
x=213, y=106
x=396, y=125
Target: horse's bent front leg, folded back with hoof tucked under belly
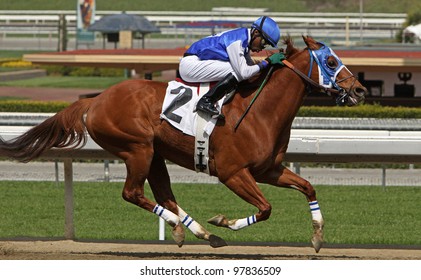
x=244, y=185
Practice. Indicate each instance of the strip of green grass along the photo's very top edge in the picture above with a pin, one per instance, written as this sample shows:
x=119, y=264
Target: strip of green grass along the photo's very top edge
x=189, y=5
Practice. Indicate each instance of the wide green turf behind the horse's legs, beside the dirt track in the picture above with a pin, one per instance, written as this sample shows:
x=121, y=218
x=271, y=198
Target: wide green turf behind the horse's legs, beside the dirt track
x=353, y=215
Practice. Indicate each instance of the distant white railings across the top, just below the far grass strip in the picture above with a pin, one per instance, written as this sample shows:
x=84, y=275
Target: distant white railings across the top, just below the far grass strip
x=376, y=25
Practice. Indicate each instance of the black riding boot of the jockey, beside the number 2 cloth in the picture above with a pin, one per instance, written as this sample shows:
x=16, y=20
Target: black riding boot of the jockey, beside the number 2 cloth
x=207, y=102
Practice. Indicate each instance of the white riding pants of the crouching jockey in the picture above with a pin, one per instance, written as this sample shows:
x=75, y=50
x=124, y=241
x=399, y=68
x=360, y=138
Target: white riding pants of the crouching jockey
x=194, y=70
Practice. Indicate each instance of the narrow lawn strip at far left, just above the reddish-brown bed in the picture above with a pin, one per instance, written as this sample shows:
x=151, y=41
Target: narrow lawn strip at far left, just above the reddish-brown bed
x=66, y=82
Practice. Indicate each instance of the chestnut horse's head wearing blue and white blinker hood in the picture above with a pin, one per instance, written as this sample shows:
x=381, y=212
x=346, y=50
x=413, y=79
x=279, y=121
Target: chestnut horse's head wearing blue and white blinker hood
x=332, y=75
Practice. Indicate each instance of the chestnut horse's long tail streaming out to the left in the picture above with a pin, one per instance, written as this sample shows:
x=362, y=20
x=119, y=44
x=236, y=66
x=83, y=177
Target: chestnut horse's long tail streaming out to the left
x=65, y=129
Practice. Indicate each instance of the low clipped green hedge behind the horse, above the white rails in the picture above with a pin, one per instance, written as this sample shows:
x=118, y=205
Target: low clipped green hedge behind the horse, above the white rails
x=363, y=111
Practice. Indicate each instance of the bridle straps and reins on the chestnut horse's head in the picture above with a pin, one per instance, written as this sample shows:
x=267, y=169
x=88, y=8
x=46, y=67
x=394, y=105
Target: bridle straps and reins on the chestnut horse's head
x=342, y=95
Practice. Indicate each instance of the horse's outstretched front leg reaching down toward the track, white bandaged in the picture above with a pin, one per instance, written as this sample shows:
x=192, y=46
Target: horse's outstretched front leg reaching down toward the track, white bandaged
x=283, y=177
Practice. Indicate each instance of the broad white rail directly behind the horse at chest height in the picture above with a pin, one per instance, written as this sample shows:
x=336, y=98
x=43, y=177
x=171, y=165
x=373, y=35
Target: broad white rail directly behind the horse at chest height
x=305, y=146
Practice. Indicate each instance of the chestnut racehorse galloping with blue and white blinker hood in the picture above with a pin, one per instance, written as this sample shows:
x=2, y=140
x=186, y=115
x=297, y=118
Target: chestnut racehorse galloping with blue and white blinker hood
x=125, y=120
